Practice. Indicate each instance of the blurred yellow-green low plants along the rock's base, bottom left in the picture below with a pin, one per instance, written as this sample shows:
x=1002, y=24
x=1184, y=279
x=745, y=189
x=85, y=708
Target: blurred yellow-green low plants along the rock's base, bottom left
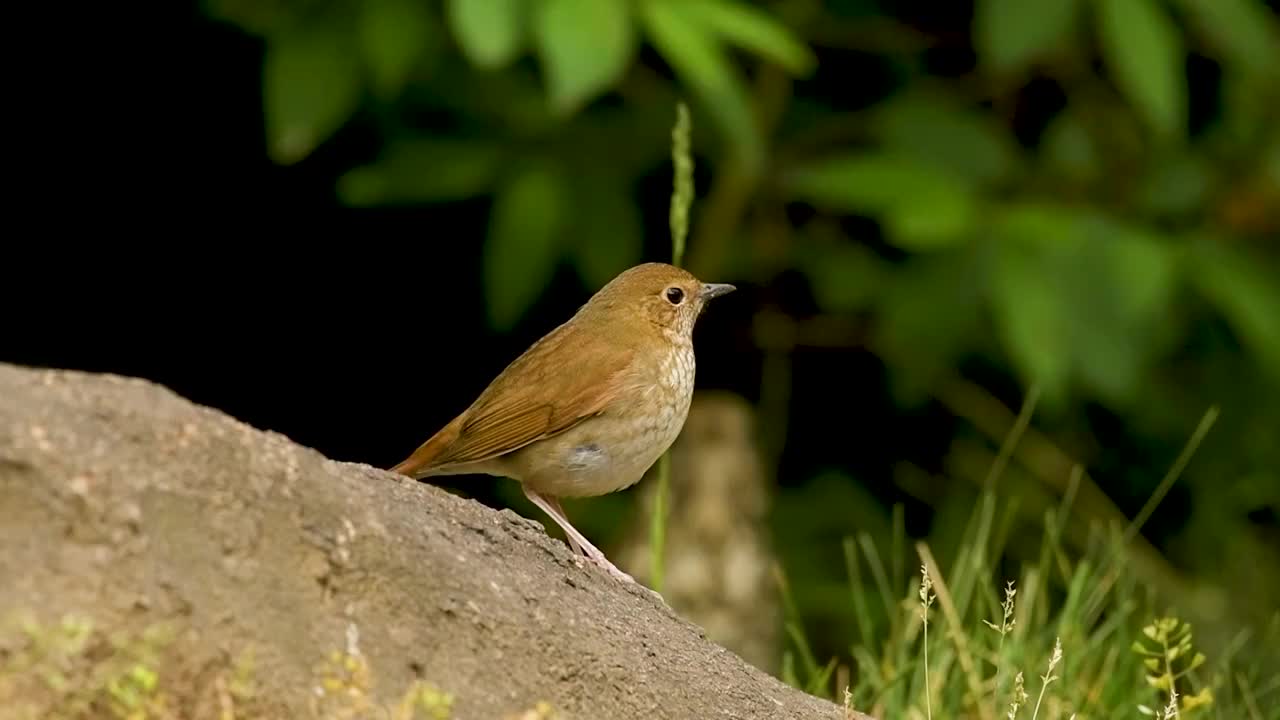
x=75, y=669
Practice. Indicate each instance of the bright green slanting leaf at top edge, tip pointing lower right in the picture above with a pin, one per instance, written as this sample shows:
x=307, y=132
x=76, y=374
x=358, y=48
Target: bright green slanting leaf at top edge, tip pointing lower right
x=755, y=30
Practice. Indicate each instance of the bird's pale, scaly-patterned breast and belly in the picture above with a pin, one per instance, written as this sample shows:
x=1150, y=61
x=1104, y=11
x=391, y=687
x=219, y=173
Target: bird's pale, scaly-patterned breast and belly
x=614, y=450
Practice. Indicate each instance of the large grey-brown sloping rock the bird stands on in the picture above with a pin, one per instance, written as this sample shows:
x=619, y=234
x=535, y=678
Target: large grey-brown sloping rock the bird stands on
x=140, y=513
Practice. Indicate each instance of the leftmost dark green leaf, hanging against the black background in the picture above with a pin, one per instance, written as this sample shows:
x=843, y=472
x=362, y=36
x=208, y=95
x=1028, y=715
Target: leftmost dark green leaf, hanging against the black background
x=312, y=83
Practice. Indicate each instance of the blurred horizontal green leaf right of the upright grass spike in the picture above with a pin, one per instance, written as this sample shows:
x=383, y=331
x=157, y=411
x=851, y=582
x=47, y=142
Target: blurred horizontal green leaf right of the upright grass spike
x=922, y=206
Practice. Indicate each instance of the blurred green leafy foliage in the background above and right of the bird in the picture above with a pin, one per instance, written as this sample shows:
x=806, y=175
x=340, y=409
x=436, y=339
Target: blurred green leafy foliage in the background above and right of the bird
x=1081, y=195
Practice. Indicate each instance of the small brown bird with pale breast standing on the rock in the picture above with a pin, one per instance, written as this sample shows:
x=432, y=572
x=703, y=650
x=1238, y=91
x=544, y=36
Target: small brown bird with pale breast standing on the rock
x=591, y=407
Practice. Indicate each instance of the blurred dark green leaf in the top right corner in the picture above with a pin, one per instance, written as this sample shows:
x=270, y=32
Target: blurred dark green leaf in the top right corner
x=1242, y=31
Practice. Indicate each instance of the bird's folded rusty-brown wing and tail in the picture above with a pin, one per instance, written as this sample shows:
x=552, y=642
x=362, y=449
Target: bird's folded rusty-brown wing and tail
x=564, y=380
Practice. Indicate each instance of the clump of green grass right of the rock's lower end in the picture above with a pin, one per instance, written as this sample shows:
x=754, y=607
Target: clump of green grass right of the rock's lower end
x=1071, y=635
